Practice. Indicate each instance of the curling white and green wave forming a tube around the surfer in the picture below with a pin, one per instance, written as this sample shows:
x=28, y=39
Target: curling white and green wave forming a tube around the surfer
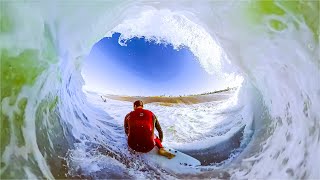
x=50, y=130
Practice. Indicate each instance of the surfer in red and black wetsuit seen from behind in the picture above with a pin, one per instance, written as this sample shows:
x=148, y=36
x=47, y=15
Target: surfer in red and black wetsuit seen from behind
x=139, y=127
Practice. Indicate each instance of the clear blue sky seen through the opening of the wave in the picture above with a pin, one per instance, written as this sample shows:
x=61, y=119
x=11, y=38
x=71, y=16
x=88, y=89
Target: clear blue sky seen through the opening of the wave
x=144, y=68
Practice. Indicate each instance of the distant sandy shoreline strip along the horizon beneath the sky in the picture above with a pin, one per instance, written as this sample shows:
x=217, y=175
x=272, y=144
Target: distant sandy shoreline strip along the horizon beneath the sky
x=174, y=100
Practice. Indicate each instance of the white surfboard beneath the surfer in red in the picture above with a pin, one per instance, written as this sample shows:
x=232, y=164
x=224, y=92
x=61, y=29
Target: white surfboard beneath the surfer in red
x=180, y=164
